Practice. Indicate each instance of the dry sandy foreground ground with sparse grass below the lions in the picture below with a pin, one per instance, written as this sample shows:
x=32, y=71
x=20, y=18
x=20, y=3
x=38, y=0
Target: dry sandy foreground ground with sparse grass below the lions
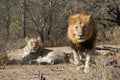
x=107, y=68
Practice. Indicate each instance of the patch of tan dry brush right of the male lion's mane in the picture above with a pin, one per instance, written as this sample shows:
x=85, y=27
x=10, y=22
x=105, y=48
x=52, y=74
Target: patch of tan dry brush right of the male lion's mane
x=109, y=36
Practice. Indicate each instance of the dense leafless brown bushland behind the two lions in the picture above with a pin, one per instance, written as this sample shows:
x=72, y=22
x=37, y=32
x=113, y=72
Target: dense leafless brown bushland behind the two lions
x=49, y=19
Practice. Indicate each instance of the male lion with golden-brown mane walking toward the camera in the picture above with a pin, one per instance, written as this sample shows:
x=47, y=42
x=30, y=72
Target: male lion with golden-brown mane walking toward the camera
x=82, y=35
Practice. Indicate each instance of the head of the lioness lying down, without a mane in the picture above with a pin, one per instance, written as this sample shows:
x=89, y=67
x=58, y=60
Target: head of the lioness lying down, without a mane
x=33, y=43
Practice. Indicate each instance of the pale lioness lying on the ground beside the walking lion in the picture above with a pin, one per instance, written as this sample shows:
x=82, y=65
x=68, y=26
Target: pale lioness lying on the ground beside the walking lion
x=35, y=53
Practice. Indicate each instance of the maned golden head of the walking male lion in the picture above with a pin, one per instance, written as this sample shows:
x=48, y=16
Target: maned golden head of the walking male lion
x=80, y=27
